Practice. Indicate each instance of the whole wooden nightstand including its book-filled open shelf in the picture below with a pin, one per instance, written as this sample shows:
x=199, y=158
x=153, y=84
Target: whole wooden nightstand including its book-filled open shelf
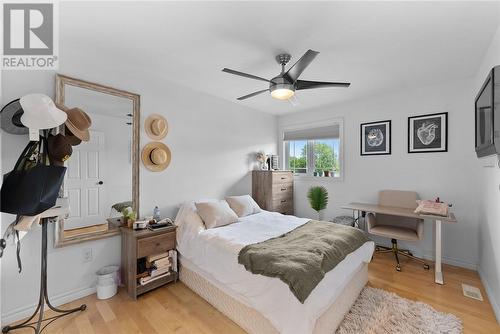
x=145, y=254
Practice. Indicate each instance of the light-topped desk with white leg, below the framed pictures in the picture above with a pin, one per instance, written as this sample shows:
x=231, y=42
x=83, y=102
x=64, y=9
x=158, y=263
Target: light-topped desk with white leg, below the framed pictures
x=402, y=212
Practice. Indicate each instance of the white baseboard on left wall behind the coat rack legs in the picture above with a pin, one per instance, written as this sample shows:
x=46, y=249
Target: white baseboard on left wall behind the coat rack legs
x=25, y=311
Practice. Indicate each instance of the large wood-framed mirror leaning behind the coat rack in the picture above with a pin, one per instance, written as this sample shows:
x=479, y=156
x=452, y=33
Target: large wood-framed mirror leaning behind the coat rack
x=102, y=174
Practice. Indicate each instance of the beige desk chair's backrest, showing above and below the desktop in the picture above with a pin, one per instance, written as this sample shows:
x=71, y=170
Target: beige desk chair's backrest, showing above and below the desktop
x=399, y=199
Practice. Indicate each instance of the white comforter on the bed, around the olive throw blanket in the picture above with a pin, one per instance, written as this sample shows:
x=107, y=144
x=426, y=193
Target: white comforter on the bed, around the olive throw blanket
x=215, y=252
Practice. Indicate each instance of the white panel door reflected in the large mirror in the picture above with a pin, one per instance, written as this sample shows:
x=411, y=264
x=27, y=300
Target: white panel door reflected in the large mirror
x=84, y=183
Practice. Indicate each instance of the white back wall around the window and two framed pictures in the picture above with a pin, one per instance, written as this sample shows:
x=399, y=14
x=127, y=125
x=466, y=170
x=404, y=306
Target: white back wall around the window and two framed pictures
x=450, y=175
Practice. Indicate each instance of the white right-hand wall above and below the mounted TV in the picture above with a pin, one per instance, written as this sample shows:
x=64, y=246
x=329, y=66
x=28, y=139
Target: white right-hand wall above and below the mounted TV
x=489, y=210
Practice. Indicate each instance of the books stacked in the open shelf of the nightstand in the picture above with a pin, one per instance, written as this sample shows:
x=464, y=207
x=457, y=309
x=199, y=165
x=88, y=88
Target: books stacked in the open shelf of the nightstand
x=159, y=266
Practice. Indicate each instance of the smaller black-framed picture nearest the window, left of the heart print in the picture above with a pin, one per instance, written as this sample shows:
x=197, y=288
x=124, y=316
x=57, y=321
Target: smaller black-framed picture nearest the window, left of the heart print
x=380, y=127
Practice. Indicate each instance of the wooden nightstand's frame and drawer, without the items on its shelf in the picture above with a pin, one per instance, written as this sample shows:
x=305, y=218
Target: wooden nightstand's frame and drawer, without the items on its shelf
x=139, y=244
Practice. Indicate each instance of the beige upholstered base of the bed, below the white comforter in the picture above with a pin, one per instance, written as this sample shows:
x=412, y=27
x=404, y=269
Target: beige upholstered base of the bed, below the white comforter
x=254, y=322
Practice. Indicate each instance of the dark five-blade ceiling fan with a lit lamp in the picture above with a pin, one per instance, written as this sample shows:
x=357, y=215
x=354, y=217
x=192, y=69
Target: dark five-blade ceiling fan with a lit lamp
x=284, y=85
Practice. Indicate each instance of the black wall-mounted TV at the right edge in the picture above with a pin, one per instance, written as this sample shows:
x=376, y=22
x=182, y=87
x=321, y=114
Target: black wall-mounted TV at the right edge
x=488, y=115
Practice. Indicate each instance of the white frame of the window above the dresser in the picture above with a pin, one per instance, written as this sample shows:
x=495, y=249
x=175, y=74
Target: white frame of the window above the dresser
x=309, y=176
